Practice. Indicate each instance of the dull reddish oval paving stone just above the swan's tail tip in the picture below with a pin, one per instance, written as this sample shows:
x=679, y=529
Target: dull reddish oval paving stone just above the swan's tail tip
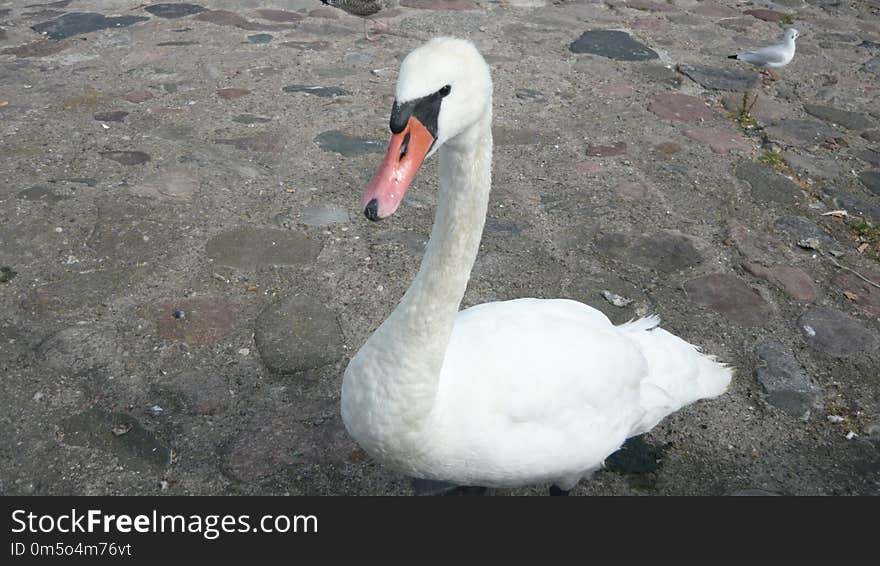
x=730, y=296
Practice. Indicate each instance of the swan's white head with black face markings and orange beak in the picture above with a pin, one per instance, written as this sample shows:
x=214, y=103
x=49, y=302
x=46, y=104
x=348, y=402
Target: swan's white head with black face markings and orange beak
x=443, y=90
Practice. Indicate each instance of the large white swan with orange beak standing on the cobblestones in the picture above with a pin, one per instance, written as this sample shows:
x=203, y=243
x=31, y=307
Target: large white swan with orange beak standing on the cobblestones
x=505, y=393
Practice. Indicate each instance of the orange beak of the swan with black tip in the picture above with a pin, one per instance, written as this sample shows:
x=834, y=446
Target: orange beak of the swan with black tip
x=406, y=152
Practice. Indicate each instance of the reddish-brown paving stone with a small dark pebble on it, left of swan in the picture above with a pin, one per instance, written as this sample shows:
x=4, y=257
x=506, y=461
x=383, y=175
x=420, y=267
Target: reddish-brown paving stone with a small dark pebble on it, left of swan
x=206, y=320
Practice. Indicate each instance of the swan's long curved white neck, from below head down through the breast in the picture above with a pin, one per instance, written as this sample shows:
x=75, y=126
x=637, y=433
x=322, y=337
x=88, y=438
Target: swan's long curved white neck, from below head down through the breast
x=397, y=371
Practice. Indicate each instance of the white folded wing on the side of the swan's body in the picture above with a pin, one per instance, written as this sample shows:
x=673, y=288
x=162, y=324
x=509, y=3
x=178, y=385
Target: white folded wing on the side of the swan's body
x=536, y=389
